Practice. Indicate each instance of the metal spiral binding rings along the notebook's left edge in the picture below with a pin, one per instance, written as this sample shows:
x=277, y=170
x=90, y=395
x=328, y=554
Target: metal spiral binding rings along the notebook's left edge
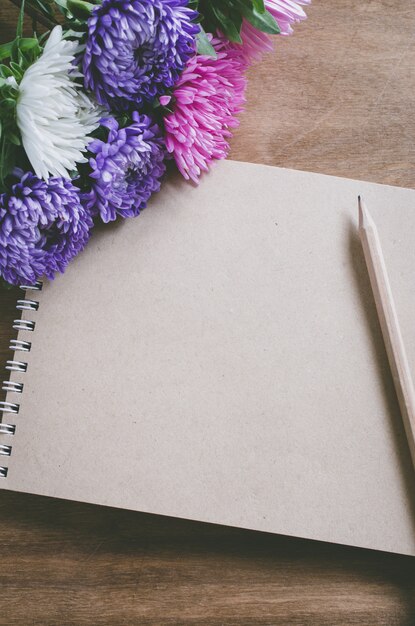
x=17, y=345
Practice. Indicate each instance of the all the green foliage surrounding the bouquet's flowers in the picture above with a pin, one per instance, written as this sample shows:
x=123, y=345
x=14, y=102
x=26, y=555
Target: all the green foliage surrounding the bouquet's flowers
x=17, y=55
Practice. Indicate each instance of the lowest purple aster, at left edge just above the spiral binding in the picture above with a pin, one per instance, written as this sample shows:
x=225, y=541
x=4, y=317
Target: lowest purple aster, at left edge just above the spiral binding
x=42, y=227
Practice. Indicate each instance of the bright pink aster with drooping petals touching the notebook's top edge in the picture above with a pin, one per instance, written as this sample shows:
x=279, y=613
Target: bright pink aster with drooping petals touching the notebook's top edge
x=207, y=98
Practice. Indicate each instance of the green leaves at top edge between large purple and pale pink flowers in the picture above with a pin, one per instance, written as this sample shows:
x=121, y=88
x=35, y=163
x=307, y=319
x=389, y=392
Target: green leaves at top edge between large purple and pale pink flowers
x=226, y=16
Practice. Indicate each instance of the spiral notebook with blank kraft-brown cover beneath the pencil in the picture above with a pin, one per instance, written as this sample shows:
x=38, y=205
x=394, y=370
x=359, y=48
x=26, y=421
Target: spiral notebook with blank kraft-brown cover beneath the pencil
x=219, y=359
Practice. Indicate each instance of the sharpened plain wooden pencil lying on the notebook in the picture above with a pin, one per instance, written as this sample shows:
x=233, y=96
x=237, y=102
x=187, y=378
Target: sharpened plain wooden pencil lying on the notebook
x=389, y=322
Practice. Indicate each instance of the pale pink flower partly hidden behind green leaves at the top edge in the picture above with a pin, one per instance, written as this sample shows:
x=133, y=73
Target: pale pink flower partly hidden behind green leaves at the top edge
x=256, y=43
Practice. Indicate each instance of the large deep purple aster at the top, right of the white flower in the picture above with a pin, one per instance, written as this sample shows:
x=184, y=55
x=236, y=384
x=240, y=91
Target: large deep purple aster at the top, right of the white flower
x=136, y=49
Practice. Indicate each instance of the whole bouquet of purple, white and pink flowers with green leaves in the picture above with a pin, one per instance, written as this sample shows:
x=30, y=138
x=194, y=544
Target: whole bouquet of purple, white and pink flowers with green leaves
x=93, y=108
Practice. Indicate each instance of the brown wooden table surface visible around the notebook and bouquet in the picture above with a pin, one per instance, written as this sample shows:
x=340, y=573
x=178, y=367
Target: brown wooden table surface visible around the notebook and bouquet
x=338, y=97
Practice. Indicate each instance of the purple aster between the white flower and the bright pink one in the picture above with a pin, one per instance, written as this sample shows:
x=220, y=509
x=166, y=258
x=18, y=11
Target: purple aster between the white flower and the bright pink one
x=126, y=168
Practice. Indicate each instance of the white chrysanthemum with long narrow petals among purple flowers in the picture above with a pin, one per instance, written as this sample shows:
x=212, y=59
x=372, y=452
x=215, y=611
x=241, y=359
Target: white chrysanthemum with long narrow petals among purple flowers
x=53, y=115
